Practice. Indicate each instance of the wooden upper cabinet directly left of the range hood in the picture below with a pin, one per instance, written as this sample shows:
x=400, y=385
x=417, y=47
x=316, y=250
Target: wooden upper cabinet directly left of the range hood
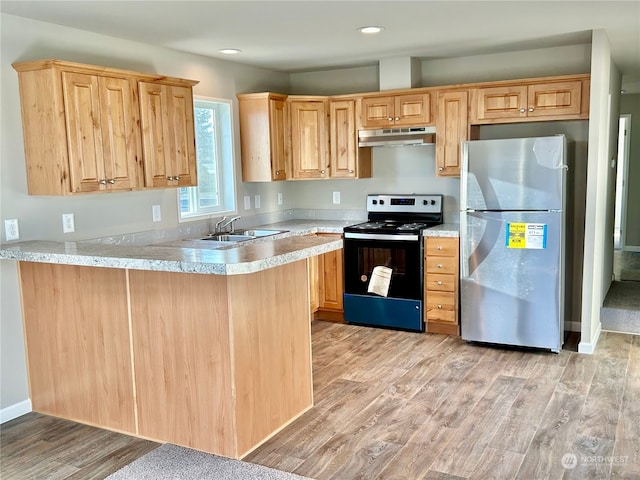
x=346, y=159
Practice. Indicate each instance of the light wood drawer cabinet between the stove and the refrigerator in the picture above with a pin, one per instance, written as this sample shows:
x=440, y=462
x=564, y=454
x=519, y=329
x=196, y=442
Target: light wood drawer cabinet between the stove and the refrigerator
x=441, y=278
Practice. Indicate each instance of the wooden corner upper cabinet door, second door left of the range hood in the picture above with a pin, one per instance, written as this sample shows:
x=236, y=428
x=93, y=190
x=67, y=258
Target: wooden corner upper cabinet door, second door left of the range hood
x=308, y=139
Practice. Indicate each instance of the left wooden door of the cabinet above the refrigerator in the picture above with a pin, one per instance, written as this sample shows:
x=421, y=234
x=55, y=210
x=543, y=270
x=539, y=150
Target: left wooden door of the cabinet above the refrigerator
x=499, y=102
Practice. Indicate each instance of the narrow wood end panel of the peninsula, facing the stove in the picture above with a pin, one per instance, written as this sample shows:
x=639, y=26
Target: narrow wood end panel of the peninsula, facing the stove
x=272, y=350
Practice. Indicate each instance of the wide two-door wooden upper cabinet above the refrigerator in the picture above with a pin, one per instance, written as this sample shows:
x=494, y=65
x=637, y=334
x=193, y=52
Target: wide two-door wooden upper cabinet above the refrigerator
x=548, y=100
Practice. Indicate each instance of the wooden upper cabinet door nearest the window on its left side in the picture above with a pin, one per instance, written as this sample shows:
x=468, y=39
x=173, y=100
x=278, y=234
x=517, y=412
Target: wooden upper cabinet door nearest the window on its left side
x=166, y=116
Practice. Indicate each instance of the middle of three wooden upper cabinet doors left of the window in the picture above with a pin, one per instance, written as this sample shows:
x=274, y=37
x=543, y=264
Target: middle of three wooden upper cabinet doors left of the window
x=119, y=133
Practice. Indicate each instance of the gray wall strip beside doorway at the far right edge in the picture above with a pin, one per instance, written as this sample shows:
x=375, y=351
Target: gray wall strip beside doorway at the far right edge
x=630, y=104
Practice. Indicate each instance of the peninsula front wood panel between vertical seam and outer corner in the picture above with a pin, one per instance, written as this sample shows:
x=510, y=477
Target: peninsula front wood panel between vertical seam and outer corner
x=182, y=359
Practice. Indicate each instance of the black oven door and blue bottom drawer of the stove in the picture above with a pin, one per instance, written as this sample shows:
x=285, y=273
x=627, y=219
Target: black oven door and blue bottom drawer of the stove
x=401, y=306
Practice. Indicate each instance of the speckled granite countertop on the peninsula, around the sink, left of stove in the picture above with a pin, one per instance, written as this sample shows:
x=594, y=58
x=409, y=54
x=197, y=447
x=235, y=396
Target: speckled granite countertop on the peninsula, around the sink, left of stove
x=190, y=255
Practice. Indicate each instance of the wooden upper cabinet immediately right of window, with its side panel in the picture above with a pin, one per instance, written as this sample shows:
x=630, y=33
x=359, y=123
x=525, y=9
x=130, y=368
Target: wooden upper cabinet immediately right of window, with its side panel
x=262, y=136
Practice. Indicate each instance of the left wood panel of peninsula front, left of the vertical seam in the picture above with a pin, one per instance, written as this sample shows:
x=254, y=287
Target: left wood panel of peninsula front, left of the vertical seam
x=77, y=342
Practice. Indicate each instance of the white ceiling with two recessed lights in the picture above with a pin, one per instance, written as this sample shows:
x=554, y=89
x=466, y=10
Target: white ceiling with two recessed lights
x=296, y=36
